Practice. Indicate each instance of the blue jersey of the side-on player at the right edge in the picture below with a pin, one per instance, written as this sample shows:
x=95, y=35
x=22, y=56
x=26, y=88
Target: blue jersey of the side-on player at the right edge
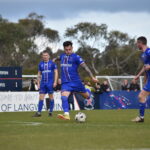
x=145, y=56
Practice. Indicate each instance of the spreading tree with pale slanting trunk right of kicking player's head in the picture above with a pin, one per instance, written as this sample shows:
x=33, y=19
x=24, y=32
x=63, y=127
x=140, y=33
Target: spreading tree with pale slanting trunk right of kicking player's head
x=89, y=37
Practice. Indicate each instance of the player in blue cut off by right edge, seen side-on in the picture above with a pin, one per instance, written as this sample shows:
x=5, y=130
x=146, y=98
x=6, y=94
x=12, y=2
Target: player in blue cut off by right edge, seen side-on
x=145, y=56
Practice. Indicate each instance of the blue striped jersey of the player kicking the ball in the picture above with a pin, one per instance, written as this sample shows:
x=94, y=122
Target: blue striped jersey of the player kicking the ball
x=69, y=67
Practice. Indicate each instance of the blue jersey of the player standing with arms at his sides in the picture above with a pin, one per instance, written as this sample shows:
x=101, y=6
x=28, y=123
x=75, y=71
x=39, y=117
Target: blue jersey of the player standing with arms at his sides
x=47, y=71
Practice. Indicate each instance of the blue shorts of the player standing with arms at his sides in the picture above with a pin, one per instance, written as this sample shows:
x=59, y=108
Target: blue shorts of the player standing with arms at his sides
x=46, y=88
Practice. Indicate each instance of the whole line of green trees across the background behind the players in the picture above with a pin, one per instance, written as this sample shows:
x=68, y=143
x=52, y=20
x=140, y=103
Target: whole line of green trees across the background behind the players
x=105, y=52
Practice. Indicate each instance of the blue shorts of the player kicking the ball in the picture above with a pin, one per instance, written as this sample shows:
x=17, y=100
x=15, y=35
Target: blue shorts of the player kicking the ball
x=75, y=86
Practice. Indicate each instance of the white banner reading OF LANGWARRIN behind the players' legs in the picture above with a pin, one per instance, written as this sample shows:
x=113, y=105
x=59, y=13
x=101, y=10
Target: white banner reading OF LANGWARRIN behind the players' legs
x=25, y=101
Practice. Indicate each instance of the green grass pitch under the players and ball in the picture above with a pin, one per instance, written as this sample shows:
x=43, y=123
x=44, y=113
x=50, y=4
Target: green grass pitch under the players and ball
x=103, y=130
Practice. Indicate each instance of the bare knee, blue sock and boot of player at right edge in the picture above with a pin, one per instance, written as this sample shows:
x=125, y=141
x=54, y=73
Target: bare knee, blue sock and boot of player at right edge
x=142, y=103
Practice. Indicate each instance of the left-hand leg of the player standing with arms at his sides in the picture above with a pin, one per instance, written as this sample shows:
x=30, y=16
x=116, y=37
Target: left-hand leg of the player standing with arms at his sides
x=40, y=105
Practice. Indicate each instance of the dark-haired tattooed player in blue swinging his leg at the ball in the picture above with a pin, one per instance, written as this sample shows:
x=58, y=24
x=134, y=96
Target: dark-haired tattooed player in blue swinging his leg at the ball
x=71, y=81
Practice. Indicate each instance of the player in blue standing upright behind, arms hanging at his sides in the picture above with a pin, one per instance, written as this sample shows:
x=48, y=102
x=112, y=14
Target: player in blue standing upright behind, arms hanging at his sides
x=47, y=80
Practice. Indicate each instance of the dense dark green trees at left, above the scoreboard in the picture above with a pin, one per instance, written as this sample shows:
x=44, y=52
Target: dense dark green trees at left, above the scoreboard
x=18, y=42
